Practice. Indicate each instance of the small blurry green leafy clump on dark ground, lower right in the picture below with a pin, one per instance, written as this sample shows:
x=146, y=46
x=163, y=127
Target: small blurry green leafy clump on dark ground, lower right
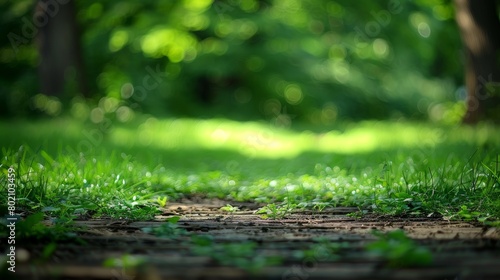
x=399, y=251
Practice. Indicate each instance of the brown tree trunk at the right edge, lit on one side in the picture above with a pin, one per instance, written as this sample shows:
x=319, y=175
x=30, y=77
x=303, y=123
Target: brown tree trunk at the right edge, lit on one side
x=480, y=30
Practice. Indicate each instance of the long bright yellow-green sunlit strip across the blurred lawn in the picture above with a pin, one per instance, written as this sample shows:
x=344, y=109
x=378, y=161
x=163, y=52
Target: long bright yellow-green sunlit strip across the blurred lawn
x=262, y=140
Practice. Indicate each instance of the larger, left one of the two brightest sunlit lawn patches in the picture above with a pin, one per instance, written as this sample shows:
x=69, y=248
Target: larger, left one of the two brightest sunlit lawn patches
x=250, y=139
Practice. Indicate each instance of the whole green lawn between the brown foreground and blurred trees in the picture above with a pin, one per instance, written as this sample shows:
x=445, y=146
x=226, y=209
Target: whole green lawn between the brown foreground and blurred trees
x=66, y=168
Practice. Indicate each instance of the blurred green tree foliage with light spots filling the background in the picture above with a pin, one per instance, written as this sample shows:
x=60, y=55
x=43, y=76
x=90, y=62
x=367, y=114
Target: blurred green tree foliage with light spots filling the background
x=316, y=61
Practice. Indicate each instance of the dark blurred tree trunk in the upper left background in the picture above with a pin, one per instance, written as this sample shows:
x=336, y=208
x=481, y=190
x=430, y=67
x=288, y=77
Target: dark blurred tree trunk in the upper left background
x=61, y=67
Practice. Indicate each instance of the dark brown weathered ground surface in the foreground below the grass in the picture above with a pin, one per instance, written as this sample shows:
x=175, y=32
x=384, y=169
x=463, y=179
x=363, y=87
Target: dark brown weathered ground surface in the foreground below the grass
x=308, y=245
